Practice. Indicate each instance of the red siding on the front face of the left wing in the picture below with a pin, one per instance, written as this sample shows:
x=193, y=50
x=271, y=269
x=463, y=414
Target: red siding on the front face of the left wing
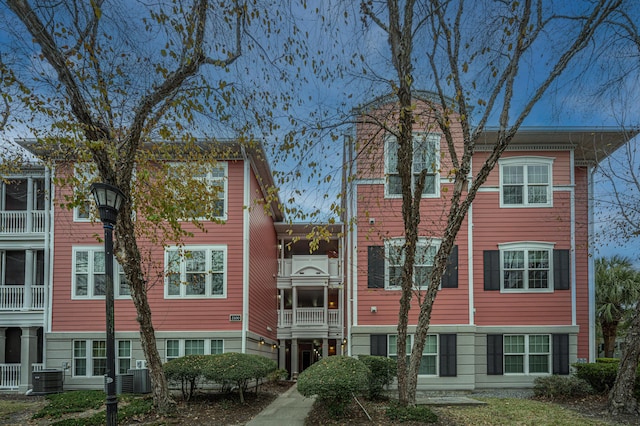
x=168, y=314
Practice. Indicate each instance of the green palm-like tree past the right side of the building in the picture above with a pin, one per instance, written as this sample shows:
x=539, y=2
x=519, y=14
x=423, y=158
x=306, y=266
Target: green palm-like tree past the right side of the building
x=617, y=293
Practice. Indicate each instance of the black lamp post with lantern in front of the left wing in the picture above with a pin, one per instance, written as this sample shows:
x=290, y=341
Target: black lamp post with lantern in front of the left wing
x=108, y=198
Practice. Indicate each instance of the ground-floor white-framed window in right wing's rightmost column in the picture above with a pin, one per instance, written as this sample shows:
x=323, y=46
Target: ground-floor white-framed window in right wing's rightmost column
x=527, y=354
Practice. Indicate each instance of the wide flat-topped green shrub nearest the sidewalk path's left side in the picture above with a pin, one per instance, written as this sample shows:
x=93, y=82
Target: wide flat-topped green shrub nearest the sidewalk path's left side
x=236, y=369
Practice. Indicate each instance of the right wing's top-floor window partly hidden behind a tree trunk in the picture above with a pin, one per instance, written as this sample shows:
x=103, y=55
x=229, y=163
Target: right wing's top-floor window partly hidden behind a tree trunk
x=426, y=156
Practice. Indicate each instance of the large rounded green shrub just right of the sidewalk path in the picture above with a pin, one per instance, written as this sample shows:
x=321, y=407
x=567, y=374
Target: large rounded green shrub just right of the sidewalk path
x=334, y=380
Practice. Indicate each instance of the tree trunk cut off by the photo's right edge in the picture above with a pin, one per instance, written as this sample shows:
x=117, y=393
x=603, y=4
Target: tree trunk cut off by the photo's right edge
x=621, y=397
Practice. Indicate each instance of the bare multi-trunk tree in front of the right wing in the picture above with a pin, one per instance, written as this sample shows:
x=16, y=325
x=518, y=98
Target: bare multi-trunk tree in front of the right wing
x=475, y=78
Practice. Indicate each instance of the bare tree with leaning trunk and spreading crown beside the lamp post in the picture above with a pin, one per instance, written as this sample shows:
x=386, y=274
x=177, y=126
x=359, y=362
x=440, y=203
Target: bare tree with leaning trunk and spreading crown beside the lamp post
x=108, y=112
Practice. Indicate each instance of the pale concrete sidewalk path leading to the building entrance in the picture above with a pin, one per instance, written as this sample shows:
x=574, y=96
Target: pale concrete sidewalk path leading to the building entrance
x=289, y=409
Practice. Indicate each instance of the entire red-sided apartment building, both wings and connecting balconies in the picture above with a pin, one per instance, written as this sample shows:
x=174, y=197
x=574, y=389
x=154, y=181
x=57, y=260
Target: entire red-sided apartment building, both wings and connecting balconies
x=517, y=300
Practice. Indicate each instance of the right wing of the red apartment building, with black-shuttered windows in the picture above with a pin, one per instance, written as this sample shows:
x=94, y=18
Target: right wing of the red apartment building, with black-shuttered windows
x=517, y=299
